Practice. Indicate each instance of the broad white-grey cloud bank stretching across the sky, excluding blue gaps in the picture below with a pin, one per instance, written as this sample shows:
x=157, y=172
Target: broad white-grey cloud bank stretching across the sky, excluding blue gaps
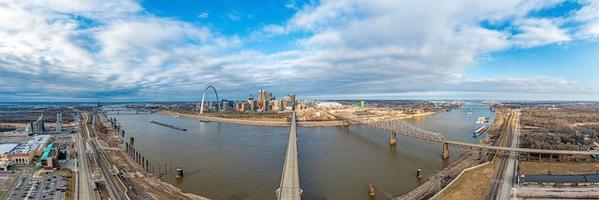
x=361, y=46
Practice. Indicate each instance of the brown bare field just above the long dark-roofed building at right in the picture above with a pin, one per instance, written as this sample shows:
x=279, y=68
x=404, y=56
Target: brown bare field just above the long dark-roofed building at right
x=558, y=168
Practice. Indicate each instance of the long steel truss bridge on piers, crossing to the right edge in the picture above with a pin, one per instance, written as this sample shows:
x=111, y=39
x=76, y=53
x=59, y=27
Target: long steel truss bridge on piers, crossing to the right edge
x=395, y=127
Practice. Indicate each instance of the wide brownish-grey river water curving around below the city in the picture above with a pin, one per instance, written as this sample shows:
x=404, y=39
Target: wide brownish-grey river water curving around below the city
x=229, y=161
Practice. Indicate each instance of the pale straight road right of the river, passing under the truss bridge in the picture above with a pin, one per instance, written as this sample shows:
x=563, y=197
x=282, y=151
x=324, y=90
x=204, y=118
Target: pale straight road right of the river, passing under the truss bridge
x=509, y=171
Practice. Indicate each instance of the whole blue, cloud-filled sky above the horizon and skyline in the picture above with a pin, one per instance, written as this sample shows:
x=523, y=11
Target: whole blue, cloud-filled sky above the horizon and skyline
x=150, y=50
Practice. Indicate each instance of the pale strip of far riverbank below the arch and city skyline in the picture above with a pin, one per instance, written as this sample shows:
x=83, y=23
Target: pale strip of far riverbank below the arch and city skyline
x=271, y=123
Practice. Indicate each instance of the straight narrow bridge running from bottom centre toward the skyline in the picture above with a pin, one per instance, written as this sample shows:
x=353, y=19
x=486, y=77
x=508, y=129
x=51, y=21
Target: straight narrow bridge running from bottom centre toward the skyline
x=289, y=189
